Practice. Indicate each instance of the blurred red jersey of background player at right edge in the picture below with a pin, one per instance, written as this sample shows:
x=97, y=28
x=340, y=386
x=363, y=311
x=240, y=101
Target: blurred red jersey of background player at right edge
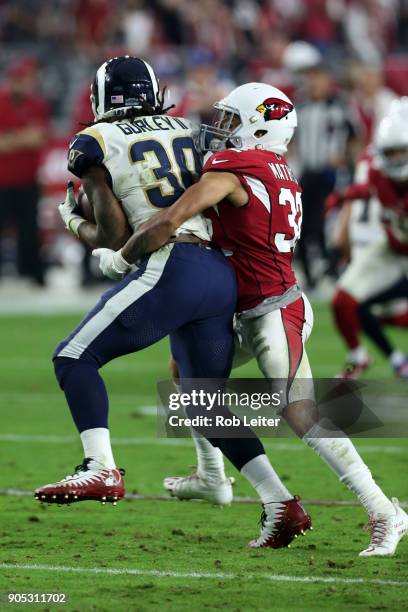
x=393, y=198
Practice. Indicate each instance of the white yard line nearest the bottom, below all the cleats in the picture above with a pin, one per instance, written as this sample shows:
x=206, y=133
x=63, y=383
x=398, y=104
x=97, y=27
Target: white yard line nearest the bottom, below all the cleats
x=212, y=575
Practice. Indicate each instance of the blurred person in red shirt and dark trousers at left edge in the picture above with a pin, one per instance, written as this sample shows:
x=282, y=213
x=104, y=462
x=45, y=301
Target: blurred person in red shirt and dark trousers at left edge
x=23, y=133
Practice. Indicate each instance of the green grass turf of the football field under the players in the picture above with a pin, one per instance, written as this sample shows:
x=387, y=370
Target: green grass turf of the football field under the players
x=150, y=554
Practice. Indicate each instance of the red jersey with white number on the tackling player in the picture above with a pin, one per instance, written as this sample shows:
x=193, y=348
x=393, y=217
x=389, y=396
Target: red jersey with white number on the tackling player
x=260, y=236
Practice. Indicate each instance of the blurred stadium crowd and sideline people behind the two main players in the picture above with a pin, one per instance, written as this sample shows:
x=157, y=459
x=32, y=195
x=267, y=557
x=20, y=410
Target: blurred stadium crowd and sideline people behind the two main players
x=342, y=61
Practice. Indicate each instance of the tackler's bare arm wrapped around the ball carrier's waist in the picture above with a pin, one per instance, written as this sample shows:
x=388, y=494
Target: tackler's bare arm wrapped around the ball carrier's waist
x=212, y=188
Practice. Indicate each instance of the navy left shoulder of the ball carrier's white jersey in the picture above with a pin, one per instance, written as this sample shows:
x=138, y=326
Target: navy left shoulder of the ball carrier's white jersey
x=86, y=149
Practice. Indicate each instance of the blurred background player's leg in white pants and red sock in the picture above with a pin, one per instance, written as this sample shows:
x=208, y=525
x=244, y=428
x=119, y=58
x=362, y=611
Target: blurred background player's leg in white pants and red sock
x=358, y=283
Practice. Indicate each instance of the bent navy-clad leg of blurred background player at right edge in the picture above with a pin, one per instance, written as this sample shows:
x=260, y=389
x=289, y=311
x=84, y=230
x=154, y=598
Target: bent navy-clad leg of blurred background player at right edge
x=373, y=327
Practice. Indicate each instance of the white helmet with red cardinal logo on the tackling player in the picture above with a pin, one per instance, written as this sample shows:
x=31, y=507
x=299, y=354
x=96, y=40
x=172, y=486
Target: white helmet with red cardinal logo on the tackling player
x=252, y=116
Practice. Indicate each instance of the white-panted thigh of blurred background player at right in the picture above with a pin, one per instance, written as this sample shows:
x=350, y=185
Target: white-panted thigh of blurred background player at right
x=374, y=267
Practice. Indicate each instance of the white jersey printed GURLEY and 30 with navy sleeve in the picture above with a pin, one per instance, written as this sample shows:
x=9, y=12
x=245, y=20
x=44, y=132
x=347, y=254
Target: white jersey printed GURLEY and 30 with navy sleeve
x=150, y=162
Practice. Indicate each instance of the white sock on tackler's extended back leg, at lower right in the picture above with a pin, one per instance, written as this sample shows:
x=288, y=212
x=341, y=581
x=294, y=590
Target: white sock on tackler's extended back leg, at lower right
x=341, y=455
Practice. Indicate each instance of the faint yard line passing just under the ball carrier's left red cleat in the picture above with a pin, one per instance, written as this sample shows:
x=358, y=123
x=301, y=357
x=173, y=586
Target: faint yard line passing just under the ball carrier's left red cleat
x=237, y=499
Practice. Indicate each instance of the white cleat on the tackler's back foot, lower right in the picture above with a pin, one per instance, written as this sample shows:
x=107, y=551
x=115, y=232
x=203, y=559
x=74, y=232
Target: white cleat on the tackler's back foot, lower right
x=386, y=532
